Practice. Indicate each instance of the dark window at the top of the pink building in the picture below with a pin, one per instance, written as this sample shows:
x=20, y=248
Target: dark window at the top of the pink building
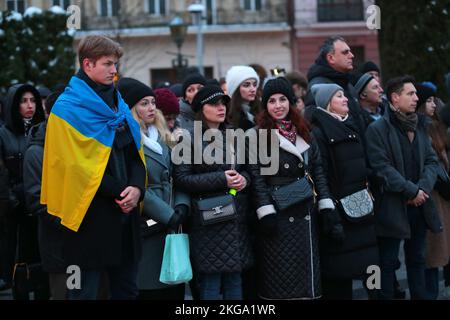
x=340, y=10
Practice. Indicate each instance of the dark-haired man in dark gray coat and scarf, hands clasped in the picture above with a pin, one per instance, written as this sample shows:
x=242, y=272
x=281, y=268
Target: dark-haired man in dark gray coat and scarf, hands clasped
x=401, y=155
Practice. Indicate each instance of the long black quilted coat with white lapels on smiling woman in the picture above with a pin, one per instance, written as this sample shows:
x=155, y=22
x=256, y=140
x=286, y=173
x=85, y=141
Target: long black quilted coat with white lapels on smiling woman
x=288, y=262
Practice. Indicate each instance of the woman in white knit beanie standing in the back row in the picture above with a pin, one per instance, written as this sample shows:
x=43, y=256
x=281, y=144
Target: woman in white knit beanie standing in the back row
x=242, y=83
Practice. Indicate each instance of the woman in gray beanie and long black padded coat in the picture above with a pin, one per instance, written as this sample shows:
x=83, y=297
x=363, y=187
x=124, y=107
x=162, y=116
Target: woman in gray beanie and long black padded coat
x=343, y=159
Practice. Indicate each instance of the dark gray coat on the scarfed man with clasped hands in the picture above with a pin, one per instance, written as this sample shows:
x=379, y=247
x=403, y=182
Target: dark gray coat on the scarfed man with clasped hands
x=386, y=159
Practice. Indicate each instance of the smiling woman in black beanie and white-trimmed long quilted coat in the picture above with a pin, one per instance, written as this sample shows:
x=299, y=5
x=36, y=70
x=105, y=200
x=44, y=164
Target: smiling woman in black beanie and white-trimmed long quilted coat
x=288, y=253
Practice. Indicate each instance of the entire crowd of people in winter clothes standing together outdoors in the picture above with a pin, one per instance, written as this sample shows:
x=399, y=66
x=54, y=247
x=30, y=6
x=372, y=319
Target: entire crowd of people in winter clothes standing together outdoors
x=88, y=178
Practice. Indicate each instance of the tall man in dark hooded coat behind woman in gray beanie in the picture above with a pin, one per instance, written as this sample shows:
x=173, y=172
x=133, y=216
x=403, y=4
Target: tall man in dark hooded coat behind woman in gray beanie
x=333, y=65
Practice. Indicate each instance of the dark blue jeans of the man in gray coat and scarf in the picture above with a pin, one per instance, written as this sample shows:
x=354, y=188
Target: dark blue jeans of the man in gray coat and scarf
x=414, y=258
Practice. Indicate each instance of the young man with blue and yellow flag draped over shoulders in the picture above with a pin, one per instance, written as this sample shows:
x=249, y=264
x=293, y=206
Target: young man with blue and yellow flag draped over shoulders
x=94, y=175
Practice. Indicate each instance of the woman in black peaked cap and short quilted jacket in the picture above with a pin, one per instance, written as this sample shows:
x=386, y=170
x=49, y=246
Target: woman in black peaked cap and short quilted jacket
x=219, y=251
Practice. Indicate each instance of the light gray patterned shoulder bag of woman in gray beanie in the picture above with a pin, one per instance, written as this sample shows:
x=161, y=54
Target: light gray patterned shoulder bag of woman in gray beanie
x=357, y=205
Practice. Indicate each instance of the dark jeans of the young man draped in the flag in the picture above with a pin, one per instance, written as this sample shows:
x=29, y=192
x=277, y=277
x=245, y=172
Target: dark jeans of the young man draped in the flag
x=122, y=282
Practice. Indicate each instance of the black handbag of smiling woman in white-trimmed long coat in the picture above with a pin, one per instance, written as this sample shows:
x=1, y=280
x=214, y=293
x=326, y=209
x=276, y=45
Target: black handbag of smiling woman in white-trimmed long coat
x=298, y=191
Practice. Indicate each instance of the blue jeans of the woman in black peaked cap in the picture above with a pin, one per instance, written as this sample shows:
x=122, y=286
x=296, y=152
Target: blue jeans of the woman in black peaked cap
x=230, y=283
